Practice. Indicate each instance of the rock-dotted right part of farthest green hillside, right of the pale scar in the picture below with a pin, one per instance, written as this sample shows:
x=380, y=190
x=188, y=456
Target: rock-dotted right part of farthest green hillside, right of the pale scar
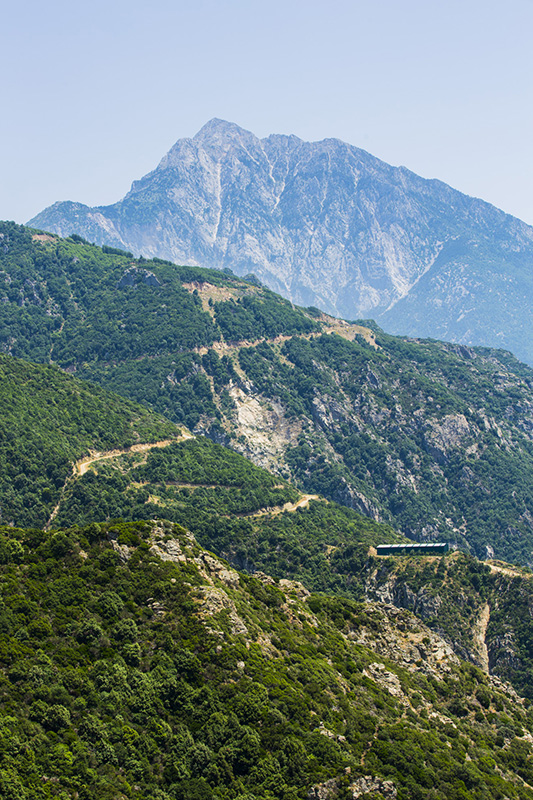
x=414, y=430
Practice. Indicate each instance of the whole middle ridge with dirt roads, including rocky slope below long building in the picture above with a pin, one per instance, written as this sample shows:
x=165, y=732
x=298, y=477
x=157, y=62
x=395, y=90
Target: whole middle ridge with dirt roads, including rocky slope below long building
x=239, y=511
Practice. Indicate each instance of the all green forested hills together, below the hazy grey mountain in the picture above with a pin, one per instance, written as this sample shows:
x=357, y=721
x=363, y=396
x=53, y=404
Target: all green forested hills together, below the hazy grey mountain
x=136, y=665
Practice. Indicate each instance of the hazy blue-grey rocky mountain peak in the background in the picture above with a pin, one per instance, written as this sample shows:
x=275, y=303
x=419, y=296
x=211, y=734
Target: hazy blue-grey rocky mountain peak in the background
x=327, y=224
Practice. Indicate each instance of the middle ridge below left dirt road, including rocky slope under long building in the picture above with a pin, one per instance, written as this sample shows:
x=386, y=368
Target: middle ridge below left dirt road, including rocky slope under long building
x=235, y=509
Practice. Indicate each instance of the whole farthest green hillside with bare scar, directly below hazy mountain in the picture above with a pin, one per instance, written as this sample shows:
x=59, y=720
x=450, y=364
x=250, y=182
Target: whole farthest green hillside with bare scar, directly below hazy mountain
x=434, y=439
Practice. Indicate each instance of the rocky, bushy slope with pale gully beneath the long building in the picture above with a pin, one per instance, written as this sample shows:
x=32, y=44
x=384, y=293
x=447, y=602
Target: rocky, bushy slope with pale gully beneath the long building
x=482, y=610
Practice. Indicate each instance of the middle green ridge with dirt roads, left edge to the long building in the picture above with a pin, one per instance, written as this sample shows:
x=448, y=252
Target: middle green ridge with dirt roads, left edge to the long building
x=73, y=453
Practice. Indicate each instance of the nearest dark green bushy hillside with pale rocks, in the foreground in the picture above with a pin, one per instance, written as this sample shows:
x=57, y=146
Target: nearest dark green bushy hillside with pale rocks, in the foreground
x=135, y=665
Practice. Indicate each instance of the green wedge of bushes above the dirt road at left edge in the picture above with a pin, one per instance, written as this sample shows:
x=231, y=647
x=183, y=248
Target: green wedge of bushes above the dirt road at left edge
x=48, y=420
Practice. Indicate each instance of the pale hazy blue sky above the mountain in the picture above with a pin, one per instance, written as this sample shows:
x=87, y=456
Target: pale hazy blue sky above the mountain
x=95, y=93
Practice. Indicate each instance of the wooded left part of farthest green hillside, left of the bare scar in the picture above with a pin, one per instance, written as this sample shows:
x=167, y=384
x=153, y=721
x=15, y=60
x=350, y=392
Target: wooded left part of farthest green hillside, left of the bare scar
x=125, y=322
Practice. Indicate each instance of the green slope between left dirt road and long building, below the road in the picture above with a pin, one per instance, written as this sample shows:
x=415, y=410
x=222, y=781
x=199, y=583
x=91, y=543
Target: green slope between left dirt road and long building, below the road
x=233, y=508
